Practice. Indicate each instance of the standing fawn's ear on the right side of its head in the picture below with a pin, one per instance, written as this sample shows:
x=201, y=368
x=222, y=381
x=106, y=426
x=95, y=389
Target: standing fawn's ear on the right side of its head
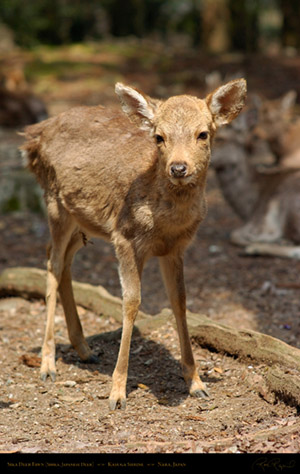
x=226, y=102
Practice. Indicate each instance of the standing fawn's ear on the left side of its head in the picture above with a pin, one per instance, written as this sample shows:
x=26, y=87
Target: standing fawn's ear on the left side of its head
x=139, y=107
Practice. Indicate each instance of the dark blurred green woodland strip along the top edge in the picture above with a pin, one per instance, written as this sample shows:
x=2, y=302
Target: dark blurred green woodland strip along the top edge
x=57, y=22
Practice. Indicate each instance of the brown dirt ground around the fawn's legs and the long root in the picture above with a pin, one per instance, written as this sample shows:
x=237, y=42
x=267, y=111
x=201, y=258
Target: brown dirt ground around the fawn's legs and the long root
x=72, y=414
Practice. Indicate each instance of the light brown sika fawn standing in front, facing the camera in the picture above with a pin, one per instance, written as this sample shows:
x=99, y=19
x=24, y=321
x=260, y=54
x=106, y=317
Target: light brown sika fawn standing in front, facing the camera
x=140, y=184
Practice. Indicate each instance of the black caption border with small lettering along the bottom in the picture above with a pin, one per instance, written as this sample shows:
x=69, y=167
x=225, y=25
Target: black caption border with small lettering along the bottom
x=150, y=463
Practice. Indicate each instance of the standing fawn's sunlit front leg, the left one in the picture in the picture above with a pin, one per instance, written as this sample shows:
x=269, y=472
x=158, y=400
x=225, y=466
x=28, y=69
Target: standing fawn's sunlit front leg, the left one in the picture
x=130, y=277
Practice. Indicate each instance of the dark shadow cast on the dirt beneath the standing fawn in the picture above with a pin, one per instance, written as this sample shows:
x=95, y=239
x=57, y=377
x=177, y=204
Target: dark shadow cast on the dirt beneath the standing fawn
x=151, y=365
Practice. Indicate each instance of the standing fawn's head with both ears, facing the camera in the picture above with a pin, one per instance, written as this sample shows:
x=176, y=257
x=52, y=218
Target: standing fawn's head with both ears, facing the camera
x=184, y=126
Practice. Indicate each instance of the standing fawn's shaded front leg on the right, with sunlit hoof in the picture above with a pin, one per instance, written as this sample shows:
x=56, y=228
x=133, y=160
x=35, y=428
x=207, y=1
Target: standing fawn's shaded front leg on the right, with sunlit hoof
x=172, y=272
